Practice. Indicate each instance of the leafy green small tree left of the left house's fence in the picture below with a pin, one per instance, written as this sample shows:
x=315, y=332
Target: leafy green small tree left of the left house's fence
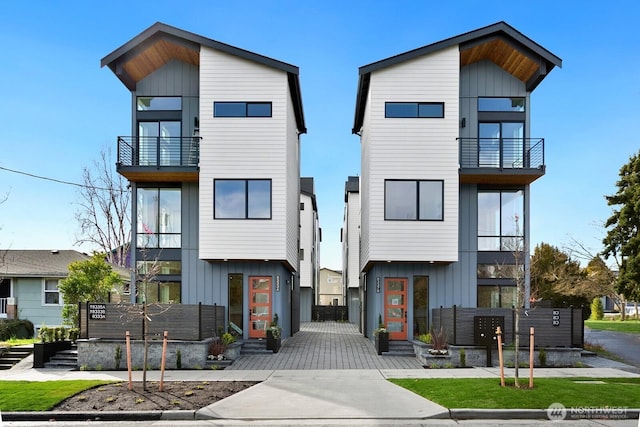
x=89, y=280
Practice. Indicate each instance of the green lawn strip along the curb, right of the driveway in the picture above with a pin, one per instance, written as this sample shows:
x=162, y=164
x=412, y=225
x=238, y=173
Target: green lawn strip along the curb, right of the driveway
x=486, y=393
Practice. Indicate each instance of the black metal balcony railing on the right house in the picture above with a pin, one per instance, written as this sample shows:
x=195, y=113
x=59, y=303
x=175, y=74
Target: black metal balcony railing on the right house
x=502, y=153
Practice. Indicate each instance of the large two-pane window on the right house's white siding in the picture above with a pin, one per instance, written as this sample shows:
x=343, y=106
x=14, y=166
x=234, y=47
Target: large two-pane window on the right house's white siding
x=414, y=200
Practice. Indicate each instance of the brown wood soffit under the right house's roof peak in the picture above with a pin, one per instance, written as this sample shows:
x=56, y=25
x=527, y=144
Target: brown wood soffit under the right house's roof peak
x=502, y=54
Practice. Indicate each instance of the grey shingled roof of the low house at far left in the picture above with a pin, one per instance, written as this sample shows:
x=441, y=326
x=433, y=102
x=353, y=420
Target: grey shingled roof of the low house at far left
x=39, y=263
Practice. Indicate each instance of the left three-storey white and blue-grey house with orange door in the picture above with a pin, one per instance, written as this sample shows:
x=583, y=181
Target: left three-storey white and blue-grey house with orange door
x=213, y=161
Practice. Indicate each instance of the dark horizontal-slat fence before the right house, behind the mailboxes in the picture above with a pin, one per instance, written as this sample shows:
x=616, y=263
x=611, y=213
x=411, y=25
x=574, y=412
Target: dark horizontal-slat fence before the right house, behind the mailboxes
x=554, y=327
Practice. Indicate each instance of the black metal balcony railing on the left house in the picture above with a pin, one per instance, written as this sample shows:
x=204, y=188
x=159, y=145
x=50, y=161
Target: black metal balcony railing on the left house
x=158, y=151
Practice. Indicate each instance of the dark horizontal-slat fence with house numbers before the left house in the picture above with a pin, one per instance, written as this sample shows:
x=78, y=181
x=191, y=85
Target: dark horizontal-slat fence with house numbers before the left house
x=188, y=322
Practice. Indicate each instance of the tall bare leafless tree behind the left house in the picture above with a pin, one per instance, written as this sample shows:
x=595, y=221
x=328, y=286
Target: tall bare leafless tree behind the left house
x=104, y=210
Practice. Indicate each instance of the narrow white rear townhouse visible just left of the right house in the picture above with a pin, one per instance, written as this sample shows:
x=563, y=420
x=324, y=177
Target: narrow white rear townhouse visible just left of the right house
x=350, y=238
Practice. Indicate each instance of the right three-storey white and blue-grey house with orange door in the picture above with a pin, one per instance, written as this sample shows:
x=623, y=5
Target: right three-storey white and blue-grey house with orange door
x=447, y=162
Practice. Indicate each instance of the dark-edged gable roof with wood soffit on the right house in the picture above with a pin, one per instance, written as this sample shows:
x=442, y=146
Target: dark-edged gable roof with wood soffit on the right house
x=500, y=43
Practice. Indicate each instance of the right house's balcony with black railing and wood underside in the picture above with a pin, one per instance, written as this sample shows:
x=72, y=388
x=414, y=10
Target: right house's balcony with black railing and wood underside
x=501, y=160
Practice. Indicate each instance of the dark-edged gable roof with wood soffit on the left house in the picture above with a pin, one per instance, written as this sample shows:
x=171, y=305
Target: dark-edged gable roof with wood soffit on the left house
x=162, y=43
